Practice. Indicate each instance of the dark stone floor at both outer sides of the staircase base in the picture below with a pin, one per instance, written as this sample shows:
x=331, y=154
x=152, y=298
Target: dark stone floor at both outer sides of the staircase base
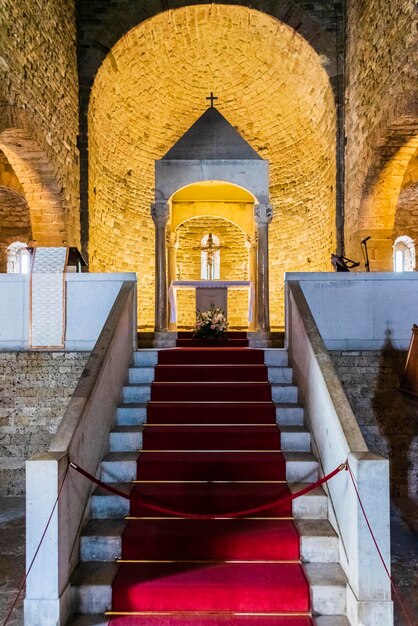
x=12, y=531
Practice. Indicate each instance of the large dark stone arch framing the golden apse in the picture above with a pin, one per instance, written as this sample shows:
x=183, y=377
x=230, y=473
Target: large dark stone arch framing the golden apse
x=321, y=27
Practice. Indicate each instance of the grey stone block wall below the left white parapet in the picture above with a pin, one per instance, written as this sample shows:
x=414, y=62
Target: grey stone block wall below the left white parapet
x=35, y=388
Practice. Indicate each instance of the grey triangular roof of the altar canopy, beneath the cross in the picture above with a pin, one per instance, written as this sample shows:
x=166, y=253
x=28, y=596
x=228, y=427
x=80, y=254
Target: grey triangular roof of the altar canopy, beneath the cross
x=211, y=138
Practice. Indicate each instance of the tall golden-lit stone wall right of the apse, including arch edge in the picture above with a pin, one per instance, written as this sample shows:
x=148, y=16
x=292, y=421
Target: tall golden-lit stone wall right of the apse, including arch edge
x=381, y=120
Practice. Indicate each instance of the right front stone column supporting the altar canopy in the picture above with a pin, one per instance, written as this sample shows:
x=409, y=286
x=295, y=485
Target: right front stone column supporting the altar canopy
x=263, y=214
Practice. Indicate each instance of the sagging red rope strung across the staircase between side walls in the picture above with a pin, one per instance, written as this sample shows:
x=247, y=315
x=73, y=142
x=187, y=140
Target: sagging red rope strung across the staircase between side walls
x=174, y=512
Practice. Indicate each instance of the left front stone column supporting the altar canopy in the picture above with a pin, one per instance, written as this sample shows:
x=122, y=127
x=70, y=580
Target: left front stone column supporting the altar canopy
x=160, y=215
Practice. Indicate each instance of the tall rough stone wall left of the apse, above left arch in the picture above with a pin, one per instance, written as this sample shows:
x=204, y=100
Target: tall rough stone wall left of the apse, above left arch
x=39, y=96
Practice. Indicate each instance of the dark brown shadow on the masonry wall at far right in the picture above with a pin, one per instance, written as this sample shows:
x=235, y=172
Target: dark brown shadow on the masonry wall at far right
x=396, y=415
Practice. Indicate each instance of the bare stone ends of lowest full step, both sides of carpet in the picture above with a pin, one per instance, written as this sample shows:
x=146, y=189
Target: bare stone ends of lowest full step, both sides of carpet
x=92, y=590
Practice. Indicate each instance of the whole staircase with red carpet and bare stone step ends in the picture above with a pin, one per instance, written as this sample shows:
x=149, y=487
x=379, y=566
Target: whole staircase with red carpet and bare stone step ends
x=204, y=420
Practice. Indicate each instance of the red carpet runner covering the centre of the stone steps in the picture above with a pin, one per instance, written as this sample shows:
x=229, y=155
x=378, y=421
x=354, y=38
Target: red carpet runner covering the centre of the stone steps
x=210, y=446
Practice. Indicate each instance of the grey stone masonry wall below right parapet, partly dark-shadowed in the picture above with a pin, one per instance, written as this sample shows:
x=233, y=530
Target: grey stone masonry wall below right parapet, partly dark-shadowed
x=388, y=420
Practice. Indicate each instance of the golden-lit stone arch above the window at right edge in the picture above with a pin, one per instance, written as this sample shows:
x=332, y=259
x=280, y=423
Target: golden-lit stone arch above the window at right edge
x=385, y=189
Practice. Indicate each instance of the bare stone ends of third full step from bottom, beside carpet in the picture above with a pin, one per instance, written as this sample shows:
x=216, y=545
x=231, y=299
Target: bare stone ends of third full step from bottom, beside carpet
x=310, y=506
